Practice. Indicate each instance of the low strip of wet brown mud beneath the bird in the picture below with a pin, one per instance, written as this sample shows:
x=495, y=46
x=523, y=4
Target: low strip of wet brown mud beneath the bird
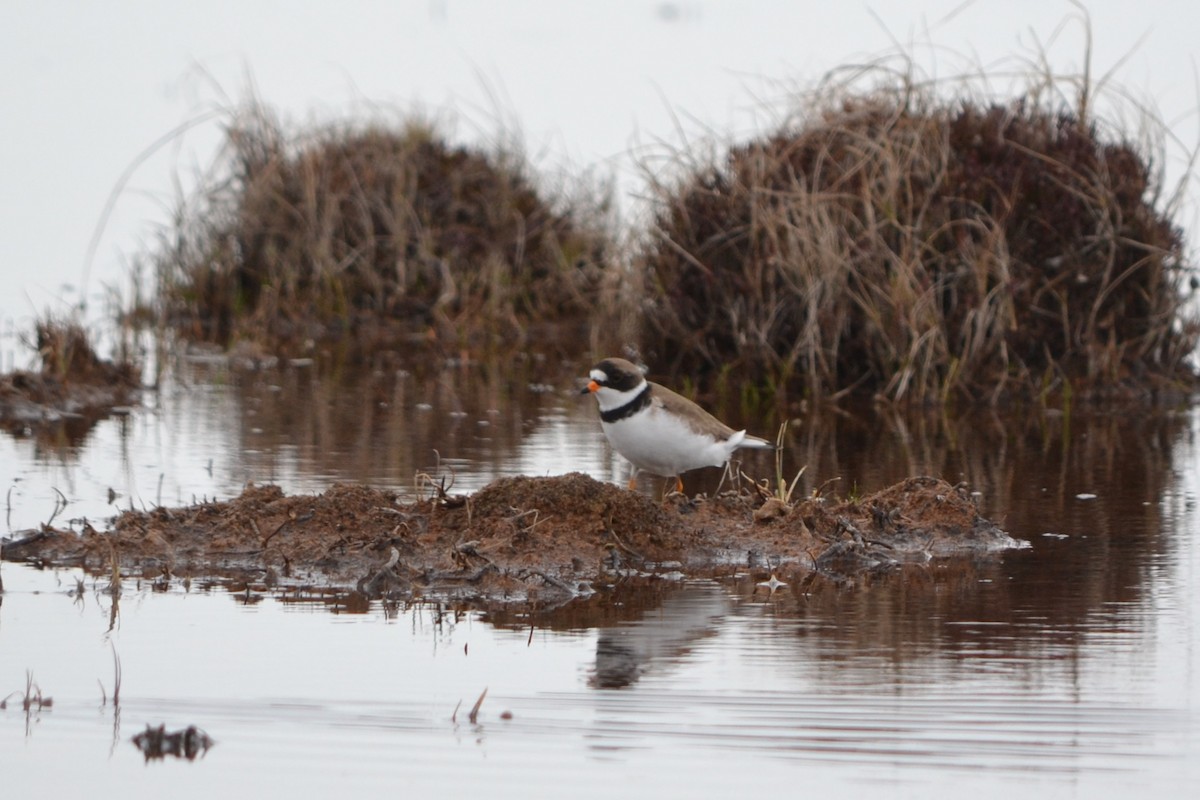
x=519, y=537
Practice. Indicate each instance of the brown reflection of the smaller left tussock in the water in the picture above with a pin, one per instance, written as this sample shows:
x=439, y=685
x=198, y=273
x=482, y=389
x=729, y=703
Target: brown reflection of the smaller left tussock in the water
x=393, y=424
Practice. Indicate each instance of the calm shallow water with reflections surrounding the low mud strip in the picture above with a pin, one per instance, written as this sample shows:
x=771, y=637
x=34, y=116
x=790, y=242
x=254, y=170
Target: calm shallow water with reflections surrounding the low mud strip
x=1065, y=670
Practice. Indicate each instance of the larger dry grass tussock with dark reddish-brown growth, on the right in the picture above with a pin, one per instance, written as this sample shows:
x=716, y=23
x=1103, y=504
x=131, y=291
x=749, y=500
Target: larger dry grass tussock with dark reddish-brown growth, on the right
x=896, y=244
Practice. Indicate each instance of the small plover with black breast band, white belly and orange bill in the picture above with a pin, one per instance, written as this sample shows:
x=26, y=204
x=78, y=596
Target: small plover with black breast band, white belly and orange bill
x=658, y=431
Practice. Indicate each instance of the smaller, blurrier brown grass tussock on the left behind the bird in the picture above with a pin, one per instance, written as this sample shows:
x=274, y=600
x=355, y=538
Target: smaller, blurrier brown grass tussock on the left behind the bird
x=376, y=236
